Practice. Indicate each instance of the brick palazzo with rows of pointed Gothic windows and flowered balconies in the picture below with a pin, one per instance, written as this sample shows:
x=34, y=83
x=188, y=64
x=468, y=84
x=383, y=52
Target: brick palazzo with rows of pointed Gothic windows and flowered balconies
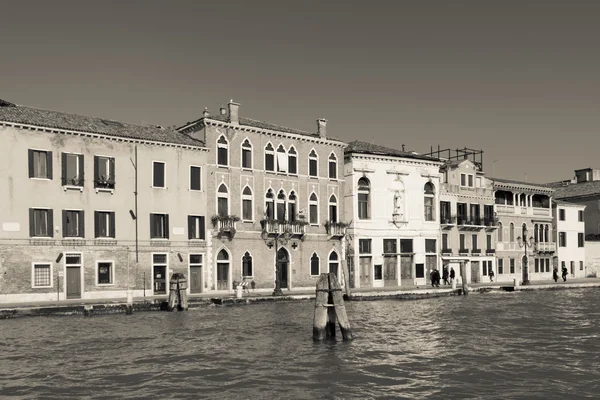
x=275, y=200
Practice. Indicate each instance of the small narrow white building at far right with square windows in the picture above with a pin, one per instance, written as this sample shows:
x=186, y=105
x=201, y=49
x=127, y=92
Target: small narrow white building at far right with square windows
x=570, y=231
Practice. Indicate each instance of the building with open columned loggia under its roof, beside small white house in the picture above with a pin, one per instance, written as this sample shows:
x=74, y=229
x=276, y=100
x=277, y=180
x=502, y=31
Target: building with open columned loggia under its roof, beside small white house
x=525, y=248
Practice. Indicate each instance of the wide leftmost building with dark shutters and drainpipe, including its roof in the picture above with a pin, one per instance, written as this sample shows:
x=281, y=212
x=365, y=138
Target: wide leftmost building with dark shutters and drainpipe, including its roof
x=94, y=207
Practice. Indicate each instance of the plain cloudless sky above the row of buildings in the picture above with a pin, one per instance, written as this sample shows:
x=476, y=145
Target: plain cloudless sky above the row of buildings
x=518, y=79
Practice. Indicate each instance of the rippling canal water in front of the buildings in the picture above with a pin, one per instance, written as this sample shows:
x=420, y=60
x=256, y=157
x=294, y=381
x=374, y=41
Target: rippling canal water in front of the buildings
x=542, y=344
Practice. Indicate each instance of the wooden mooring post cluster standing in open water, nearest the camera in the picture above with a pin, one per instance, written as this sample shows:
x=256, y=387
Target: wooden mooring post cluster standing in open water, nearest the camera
x=329, y=308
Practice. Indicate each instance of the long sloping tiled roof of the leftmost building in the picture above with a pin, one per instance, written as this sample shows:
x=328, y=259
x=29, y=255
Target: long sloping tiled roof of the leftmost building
x=60, y=120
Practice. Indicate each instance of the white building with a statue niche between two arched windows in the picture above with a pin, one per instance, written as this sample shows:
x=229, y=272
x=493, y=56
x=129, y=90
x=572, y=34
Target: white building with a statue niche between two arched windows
x=391, y=197
